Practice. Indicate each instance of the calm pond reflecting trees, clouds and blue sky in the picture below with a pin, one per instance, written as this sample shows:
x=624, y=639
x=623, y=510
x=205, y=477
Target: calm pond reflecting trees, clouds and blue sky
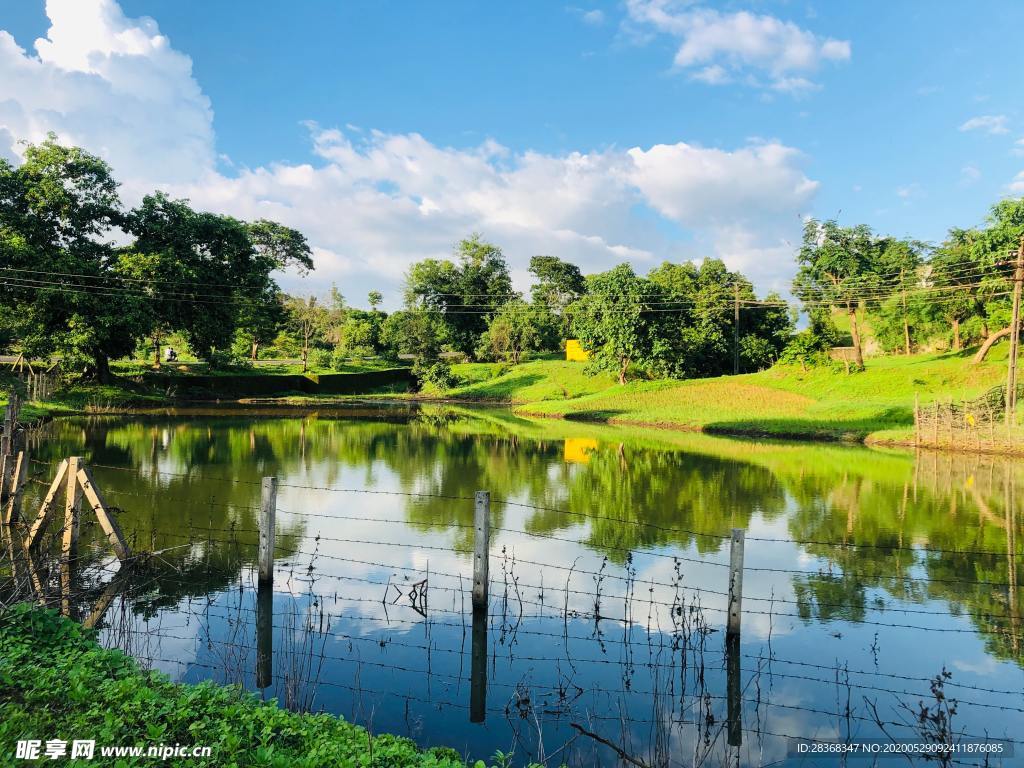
x=868, y=575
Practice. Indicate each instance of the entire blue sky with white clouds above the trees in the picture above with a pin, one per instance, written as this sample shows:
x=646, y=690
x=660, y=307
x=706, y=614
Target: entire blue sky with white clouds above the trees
x=386, y=131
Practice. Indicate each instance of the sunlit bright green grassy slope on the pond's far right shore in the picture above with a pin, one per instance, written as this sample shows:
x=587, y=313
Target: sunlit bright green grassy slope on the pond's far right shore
x=876, y=405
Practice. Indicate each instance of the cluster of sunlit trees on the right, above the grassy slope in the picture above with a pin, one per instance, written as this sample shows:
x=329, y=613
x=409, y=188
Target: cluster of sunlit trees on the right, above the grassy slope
x=916, y=295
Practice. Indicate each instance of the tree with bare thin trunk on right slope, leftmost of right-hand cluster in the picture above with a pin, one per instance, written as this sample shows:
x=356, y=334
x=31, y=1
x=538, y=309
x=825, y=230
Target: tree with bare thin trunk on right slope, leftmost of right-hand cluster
x=838, y=267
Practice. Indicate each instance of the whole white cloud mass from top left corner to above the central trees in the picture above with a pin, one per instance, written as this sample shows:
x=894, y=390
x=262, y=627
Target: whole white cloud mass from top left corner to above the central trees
x=373, y=202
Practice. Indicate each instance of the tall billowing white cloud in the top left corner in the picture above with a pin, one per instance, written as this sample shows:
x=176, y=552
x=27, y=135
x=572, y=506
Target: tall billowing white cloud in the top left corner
x=111, y=84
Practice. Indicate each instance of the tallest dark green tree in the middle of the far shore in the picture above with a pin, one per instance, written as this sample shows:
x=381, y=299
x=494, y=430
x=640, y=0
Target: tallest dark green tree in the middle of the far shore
x=464, y=294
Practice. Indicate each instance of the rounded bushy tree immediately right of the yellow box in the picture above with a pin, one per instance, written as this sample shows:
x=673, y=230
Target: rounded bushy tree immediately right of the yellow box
x=614, y=323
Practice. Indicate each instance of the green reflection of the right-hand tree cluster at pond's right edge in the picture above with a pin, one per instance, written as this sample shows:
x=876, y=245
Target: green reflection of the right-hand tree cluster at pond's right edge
x=959, y=507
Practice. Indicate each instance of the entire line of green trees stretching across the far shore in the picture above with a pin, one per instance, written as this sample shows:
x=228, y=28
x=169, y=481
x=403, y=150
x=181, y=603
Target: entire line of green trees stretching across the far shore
x=86, y=279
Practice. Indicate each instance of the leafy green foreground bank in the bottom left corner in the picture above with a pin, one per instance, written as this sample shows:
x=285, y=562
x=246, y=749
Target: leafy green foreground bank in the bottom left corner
x=56, y=682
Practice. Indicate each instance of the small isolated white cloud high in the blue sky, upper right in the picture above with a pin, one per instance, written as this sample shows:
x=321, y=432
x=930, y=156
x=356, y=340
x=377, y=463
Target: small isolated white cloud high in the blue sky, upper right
x=740, y=44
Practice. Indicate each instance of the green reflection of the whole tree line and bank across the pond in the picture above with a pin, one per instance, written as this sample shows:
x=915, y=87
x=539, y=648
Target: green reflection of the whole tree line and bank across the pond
x=887, y=504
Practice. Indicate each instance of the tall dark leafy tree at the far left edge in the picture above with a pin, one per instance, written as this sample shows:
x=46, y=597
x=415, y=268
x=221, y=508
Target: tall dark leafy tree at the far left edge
x=61, y=289
